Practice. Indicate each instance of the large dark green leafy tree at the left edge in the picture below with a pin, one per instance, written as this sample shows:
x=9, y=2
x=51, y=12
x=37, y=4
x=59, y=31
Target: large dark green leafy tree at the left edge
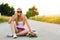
x=6, y=10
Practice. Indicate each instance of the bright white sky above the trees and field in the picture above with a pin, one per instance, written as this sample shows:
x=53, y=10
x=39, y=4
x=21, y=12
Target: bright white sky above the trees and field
x=45, y=7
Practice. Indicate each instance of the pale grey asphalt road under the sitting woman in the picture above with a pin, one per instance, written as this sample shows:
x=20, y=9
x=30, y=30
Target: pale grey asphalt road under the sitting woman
x=45, y=31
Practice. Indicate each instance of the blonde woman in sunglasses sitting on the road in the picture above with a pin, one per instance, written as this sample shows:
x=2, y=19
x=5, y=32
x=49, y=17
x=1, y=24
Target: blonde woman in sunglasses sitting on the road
x=17, y=22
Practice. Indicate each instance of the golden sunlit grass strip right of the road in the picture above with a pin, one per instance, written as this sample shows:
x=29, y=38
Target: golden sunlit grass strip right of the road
x=49, y=19
